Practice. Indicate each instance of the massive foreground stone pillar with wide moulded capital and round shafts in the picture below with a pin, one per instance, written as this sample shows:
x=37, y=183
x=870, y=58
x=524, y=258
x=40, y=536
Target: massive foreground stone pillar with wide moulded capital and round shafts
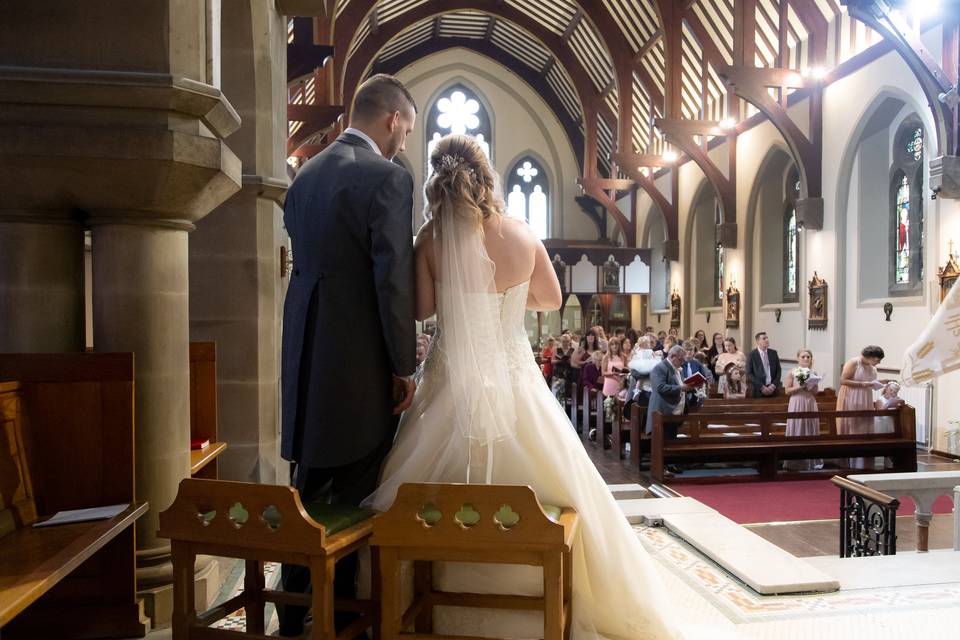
x=111, y=109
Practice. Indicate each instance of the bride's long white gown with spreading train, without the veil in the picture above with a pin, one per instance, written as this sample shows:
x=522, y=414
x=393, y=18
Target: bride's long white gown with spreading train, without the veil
x=617, y=591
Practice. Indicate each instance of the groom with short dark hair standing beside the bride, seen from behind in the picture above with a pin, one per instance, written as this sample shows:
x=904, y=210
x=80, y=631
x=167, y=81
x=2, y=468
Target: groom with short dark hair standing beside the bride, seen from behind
x=349, y=346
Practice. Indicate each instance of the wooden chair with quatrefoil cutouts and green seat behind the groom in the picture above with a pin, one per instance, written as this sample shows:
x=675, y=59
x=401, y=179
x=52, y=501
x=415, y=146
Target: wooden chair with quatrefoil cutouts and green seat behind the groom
x=259, y=523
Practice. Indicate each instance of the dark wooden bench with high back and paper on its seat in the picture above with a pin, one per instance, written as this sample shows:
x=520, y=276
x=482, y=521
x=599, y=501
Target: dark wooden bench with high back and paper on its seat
x=72, y=417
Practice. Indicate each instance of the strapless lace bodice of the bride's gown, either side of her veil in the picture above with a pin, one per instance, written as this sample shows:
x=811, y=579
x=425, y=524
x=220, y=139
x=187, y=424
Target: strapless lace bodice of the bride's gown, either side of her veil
x=513, y=305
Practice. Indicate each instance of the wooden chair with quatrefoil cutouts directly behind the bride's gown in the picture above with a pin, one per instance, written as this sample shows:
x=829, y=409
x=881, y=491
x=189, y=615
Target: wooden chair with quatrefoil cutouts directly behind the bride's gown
x=472, y=523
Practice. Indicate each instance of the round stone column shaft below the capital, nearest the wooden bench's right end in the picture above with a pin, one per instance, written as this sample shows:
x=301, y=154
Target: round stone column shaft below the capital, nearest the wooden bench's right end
x=140, y=304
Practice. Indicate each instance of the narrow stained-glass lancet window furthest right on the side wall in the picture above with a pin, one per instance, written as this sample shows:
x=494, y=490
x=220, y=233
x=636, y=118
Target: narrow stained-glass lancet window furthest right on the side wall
x=906, y=215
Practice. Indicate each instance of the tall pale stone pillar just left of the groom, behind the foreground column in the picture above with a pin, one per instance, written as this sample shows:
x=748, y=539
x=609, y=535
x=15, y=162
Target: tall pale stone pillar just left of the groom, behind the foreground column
x=236, y=288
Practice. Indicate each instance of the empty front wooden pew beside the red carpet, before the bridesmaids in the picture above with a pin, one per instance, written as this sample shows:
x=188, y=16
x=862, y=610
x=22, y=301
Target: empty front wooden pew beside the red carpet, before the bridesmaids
x=758, y=437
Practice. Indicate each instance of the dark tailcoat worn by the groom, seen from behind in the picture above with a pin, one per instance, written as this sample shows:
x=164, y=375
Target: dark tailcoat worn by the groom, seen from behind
x=348, y=320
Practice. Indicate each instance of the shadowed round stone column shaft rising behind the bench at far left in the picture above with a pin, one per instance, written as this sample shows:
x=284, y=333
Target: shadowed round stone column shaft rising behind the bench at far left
x=41, y=284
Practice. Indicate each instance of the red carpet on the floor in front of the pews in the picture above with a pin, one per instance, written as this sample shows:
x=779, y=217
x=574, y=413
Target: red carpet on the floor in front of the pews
x=749, y=502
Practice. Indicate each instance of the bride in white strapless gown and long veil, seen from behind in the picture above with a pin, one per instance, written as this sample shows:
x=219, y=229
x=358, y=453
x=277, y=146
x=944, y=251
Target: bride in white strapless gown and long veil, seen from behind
x=482, y=413
